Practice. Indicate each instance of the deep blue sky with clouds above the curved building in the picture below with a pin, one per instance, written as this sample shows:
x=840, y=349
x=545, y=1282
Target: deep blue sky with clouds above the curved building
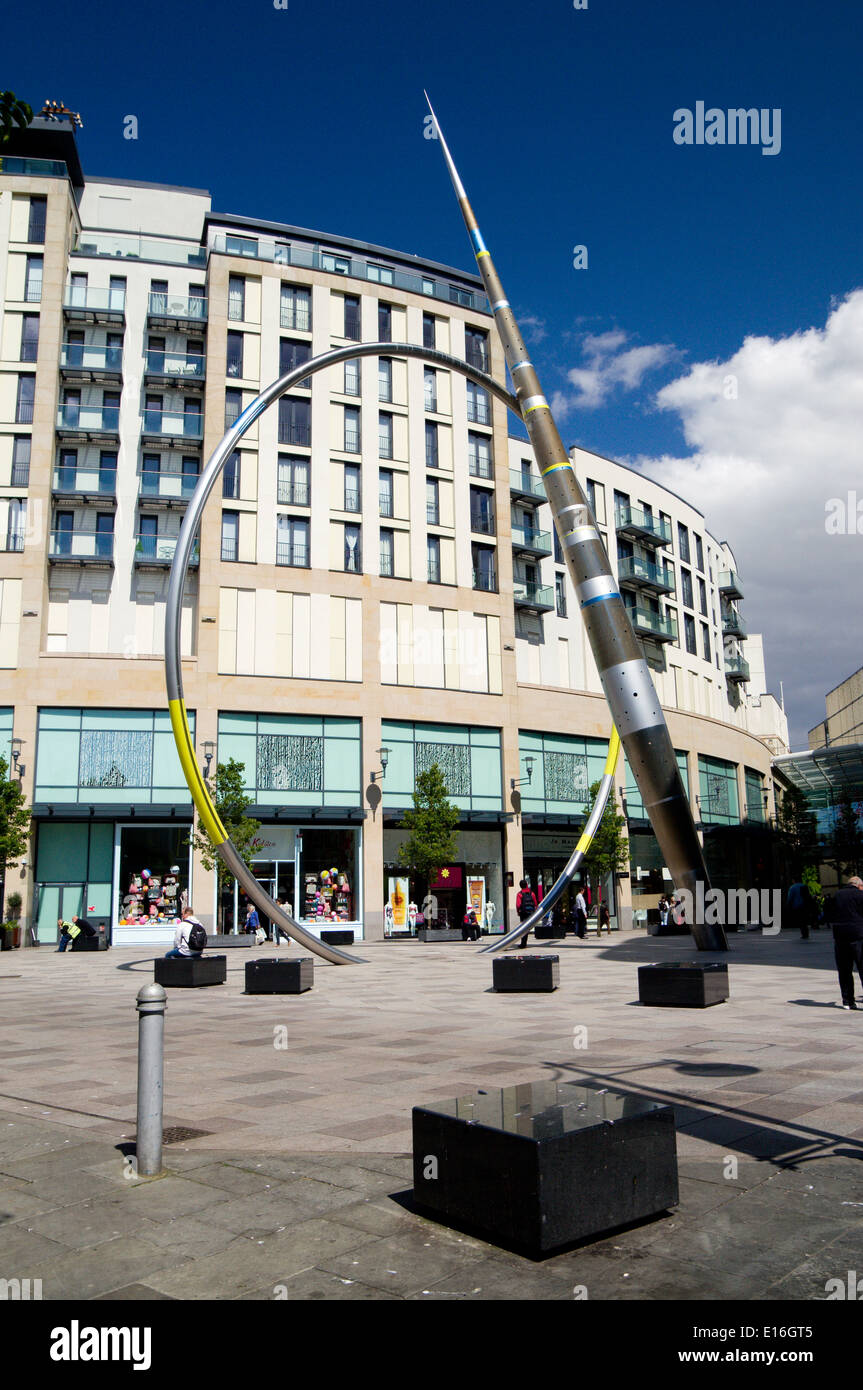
x=562, y=124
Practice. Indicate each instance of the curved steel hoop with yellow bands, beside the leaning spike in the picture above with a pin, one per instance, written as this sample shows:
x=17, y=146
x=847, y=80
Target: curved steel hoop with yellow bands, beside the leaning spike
x=180, y=723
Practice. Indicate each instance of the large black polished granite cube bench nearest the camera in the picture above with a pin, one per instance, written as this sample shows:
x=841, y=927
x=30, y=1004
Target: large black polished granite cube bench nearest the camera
x=547, y=1164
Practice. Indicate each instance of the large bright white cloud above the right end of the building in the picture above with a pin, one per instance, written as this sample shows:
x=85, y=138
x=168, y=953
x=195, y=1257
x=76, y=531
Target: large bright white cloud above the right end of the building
x=776, y=433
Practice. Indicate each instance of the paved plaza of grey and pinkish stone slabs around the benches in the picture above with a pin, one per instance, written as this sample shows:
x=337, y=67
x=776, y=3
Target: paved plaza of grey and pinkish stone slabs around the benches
x=298, y=1179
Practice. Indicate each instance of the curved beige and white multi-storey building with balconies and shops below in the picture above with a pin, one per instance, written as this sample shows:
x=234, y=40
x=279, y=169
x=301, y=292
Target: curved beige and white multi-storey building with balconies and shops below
x=376, y=587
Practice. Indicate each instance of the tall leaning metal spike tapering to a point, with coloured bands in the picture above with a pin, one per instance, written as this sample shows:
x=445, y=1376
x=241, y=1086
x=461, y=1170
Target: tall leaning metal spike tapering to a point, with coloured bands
x=623, y=671
